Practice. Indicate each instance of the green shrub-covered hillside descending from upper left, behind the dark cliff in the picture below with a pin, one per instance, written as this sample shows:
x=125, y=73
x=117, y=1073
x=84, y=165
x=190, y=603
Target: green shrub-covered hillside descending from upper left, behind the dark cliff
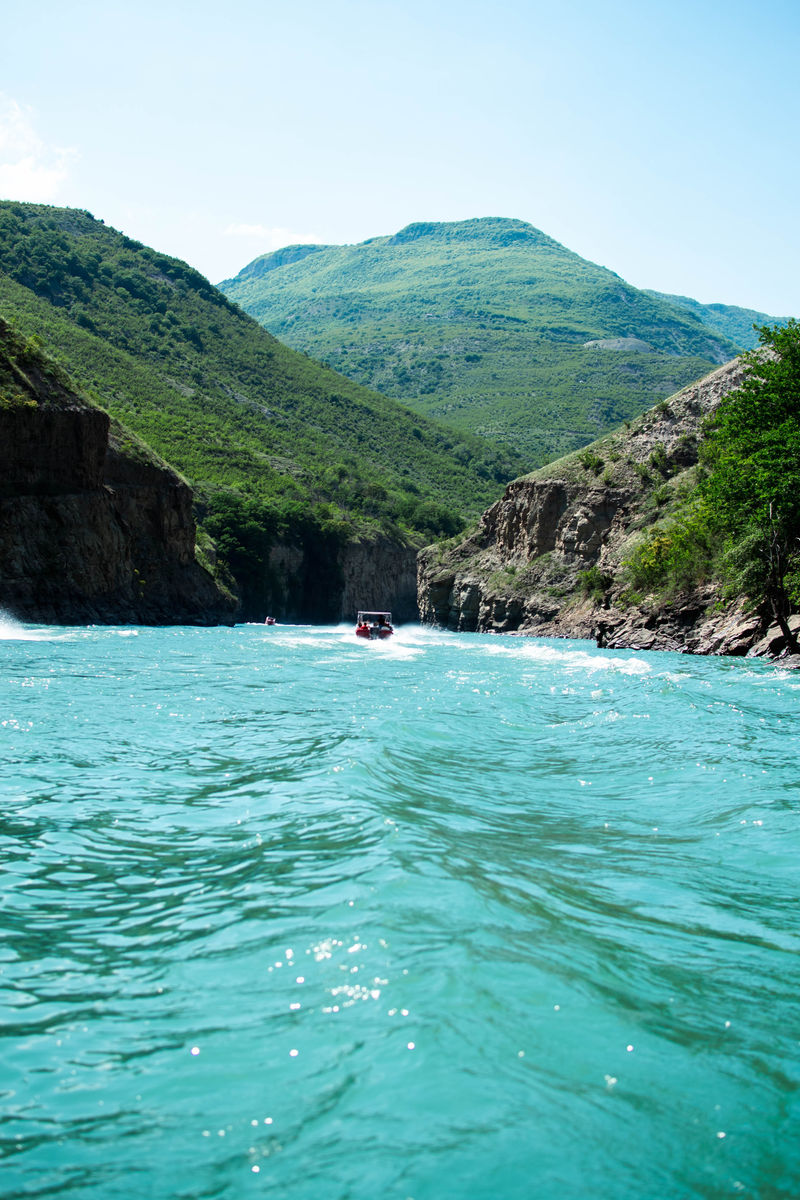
x=275, y=445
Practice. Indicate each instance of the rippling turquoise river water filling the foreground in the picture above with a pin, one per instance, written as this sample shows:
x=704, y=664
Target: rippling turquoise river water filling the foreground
x=288, y=915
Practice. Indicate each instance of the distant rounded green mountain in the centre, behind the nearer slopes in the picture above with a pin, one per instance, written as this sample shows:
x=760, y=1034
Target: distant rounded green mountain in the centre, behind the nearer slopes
x=489, y=325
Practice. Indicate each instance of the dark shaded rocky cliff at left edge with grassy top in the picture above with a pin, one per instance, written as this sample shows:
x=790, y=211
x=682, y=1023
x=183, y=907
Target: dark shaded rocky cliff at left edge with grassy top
x=93, y=527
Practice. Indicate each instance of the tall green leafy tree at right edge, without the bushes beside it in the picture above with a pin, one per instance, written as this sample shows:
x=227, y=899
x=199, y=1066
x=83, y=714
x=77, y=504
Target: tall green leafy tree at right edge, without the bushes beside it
x=753, y=454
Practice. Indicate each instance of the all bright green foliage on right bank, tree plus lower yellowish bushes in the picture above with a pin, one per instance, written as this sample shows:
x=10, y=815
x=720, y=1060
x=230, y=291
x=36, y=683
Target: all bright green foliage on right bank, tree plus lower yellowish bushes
x=742, y=521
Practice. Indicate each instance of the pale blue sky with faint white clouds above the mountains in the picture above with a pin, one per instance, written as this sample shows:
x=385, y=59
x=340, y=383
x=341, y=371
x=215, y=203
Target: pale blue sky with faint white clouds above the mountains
x=657, y=140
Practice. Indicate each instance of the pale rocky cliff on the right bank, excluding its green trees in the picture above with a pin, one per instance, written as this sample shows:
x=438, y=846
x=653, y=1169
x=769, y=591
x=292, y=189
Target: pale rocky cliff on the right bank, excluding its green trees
x=546, y=560
